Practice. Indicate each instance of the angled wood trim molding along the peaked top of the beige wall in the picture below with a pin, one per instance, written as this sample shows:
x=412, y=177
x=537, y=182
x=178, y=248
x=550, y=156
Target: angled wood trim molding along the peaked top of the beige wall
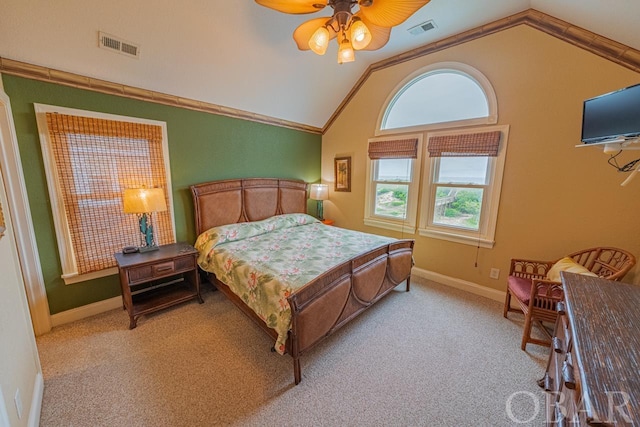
x=609, y=49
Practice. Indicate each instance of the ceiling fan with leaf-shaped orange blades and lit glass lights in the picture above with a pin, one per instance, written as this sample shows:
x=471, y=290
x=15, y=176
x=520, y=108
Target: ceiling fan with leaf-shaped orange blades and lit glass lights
x=368, y=28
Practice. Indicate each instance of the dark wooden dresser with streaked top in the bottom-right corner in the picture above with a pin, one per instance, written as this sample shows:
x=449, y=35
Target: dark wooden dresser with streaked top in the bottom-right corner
x=593, y=376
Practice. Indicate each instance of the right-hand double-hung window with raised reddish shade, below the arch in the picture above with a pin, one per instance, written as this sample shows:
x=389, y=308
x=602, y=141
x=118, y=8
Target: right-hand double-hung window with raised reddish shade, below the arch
x=461, y=187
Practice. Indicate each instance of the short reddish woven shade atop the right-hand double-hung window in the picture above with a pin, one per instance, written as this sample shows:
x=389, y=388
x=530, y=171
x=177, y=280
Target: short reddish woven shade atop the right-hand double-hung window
x=461, y=145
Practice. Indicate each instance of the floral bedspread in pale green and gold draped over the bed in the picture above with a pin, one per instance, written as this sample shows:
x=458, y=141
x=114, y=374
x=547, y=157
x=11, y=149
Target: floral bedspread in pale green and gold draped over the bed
x=263, y=262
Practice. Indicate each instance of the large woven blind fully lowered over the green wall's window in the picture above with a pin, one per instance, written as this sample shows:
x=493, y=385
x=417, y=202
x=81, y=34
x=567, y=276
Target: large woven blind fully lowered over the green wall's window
x=96, y=159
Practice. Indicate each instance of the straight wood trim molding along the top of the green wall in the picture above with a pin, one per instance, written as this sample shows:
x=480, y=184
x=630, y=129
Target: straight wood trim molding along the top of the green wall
x=36, y=72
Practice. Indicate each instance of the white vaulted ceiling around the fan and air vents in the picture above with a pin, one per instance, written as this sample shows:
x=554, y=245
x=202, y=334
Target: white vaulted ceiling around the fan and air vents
x=238, y=54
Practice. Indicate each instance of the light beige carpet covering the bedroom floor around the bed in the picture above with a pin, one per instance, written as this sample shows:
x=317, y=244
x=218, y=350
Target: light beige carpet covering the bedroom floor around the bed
x=434, y=356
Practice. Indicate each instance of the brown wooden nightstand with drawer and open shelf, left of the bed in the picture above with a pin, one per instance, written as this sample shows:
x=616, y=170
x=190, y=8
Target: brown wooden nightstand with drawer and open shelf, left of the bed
x=155, y=280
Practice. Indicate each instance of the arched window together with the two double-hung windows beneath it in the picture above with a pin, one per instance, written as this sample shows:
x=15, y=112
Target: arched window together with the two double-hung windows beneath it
x=461, y=181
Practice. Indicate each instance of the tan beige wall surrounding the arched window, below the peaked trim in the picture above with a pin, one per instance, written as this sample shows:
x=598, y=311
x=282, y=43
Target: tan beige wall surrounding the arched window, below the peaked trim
x=555, y=198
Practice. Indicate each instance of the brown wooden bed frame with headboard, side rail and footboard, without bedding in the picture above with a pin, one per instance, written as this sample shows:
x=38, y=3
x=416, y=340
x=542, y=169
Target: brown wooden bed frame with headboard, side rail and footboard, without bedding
x=326, y=303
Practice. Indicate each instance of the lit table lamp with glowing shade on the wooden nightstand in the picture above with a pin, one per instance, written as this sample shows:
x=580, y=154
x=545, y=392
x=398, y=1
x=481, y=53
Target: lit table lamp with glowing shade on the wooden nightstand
x=143, y=202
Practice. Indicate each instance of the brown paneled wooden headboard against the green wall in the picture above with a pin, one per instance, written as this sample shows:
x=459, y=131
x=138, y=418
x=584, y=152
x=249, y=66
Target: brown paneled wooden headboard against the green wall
x=250, y=199
